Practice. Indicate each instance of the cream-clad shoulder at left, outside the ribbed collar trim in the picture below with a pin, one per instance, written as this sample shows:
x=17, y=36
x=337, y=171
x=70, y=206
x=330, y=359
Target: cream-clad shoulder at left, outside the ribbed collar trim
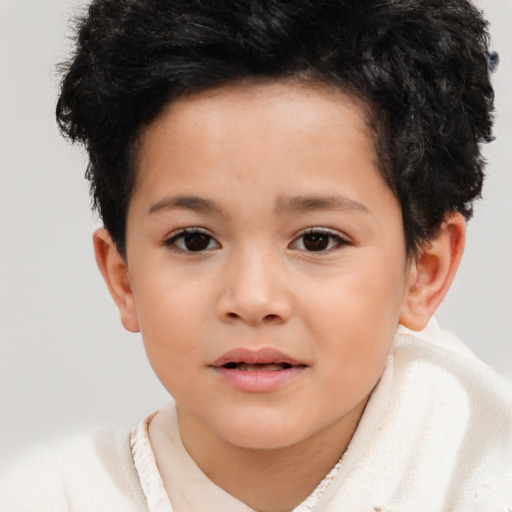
x=60, y=477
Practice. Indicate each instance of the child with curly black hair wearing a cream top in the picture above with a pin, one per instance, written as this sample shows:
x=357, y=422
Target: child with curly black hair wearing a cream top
x=284, y=187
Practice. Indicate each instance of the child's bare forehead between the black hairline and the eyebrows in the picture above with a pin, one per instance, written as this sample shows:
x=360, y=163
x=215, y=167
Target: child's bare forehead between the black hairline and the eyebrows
x=274, y=137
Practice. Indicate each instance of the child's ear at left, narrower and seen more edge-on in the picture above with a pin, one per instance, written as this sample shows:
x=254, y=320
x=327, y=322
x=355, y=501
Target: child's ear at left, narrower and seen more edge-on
x=115, y=273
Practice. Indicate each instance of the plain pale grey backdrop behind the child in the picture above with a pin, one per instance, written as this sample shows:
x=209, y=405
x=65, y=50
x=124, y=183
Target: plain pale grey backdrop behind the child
x=65, y=362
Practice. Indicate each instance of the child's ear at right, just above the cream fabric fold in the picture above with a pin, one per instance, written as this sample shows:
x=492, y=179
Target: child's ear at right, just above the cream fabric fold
x=431, y=273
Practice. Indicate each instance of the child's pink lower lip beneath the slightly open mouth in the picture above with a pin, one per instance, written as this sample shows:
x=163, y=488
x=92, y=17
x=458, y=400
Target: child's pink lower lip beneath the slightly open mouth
x=259, y=381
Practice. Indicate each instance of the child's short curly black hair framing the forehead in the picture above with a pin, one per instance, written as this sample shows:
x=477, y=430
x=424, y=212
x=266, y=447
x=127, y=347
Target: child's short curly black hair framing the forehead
x=421, y=67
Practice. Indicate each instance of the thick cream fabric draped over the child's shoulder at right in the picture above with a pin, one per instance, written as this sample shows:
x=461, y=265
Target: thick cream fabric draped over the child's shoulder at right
x=436, y=434
